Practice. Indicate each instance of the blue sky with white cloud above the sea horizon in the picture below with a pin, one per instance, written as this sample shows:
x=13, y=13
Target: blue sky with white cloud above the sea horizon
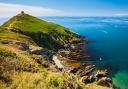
x=64, y=7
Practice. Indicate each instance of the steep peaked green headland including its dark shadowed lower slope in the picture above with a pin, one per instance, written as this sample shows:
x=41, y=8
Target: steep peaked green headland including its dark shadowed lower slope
x=47, y=34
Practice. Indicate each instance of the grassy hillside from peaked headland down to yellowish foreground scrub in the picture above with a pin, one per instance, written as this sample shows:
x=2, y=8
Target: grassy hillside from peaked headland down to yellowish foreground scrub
x=20, y=69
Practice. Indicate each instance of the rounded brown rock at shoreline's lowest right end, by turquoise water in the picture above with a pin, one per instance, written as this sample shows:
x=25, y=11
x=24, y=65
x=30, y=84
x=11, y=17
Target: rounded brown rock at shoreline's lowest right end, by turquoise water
x=105, y=82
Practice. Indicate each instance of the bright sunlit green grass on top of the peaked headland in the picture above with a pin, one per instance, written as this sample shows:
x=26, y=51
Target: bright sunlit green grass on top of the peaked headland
x=29, y=23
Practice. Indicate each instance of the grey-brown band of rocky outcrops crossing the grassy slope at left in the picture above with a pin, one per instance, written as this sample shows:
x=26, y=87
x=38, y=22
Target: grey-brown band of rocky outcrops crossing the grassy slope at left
x=29, y=48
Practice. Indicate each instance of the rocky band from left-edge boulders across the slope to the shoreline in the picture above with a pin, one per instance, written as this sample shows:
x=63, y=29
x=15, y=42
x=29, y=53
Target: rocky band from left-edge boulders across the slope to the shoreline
x=68, y=60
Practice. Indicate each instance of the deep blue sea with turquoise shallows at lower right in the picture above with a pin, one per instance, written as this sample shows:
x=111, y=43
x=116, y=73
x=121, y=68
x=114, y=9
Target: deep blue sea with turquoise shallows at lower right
x=108, y=38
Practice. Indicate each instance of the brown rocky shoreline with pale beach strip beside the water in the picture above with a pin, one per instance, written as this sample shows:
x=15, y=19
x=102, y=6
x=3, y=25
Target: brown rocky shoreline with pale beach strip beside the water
x=69, y=59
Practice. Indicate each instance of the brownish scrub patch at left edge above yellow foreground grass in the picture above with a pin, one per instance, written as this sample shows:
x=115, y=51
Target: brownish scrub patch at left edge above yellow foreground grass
x=9, y=64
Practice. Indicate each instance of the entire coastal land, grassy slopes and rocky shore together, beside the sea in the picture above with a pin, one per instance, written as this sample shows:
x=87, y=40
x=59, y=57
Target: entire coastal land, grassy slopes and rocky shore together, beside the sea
x=36, y=54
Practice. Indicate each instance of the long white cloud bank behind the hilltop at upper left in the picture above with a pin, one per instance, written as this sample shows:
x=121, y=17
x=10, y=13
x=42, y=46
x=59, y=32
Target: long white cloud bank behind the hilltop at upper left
x=8, y=10
